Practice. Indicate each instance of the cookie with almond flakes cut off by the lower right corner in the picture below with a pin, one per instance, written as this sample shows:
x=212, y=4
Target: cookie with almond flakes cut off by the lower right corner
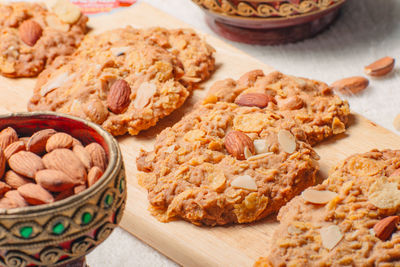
x=352, y=219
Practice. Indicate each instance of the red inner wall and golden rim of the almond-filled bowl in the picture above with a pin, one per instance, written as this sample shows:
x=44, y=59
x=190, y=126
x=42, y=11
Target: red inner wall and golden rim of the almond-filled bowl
x=87, y=132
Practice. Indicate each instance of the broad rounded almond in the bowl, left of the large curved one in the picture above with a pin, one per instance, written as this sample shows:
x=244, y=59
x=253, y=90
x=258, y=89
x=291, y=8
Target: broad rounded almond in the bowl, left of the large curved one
x=26, y=163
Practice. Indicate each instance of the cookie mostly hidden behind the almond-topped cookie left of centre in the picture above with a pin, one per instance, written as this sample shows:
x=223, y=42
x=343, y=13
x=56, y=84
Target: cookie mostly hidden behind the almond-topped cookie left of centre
x=195, y=55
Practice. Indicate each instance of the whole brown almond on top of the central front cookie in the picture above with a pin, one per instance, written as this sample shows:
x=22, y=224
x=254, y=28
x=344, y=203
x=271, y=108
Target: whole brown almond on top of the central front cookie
x=235, y=143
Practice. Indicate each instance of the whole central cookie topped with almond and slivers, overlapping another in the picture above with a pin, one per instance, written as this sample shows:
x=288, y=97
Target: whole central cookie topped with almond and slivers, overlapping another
x=224, y=163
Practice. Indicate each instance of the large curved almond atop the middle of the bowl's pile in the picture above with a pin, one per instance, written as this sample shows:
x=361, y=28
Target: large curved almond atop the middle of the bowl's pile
x=65, y=160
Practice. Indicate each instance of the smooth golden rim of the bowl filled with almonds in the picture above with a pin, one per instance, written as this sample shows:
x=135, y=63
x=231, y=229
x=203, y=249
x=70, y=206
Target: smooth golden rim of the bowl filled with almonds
x=115, y=161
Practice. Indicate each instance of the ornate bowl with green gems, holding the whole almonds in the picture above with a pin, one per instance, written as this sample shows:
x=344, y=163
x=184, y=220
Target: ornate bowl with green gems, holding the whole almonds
x=63, y=232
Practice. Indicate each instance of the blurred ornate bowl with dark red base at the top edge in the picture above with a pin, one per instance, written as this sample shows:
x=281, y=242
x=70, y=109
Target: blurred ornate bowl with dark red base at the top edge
x=269, y=22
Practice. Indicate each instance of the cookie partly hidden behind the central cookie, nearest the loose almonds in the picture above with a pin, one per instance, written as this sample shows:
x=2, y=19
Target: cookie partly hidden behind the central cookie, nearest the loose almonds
x=308, y=102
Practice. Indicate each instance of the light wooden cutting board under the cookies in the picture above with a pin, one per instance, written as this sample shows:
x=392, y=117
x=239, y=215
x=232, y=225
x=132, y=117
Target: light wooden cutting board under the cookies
x=189, y=245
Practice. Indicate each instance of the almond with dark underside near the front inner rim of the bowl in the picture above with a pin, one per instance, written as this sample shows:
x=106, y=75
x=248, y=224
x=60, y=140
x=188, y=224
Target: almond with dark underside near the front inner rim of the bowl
x=34, y=194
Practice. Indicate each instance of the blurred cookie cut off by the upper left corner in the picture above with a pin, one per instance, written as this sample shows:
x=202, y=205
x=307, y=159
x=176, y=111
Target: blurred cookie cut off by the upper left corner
x=31, y=37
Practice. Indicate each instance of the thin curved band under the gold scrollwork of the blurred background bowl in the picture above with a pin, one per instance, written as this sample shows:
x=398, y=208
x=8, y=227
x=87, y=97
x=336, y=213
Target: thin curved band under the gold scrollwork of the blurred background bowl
x=273, y=19
